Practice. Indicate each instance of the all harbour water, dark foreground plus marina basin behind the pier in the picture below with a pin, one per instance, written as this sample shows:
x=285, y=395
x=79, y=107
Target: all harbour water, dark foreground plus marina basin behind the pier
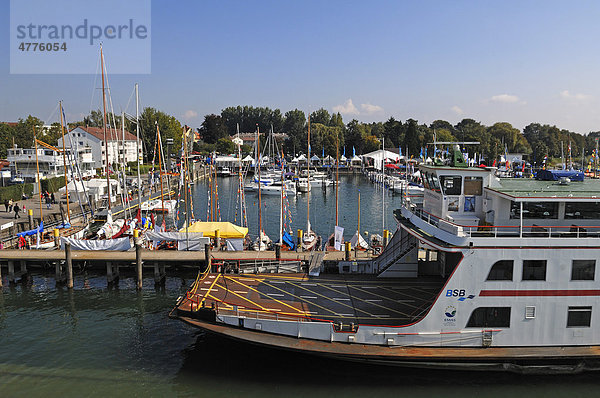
x=95, y=341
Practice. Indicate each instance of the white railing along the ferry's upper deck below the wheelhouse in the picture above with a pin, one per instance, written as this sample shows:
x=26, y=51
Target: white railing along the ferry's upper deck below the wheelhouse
x=500, y=231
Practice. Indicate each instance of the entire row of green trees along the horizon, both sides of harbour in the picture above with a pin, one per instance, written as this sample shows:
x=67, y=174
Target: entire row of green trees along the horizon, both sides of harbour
x=328, y=133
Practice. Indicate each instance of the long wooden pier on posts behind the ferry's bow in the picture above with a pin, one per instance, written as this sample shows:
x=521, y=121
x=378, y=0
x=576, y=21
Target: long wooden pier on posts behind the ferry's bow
x=160, y=261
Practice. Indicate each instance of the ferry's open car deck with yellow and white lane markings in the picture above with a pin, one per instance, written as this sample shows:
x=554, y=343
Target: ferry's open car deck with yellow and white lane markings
x=360, y=299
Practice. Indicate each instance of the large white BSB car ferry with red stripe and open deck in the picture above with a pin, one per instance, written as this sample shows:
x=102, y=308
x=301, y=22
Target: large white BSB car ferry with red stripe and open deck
x=489, y=273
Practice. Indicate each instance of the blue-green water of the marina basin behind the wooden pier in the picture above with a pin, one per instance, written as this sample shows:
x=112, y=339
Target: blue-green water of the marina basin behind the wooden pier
x=322, y=207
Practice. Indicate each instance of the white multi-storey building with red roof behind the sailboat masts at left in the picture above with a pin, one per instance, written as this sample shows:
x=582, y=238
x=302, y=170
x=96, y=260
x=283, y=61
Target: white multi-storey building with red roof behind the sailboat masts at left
x=122, y=147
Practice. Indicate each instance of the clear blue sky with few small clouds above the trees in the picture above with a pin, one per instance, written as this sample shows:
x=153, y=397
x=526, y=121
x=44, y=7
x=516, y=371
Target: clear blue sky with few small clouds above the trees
x=514, y=61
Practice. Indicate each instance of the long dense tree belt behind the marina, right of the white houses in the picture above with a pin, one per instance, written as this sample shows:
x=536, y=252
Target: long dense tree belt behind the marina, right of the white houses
x=329, y=130
